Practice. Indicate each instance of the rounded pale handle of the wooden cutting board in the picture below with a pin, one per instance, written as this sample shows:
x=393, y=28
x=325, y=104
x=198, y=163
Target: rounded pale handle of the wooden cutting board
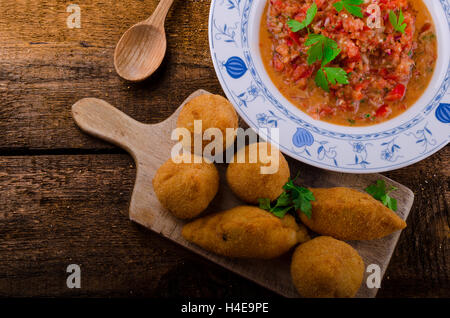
x=98, y=118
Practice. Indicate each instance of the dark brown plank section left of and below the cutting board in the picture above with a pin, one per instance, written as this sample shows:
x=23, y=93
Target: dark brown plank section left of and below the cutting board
x=59, y=210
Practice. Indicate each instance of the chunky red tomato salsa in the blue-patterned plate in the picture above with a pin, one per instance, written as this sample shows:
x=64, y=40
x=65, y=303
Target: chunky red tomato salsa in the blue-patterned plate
x=387, y=68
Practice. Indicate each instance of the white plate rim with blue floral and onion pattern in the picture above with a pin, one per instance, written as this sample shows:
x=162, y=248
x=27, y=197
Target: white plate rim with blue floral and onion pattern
x=416, y=134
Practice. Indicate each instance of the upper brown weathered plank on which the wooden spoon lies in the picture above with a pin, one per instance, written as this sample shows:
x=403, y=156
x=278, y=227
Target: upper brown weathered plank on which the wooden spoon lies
x=47, y=67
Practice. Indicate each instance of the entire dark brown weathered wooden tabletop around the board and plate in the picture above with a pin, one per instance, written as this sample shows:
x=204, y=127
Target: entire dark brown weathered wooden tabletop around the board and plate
x=64, y=195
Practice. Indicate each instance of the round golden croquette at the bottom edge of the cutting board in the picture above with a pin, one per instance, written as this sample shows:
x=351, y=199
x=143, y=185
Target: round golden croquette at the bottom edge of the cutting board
x=326, y=267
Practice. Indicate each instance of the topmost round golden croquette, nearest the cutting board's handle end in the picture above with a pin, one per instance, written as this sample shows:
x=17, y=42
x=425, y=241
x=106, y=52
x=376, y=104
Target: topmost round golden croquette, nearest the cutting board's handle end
x=214, y=111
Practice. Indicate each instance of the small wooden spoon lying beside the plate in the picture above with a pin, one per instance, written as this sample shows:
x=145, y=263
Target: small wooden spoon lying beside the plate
x=141, y=49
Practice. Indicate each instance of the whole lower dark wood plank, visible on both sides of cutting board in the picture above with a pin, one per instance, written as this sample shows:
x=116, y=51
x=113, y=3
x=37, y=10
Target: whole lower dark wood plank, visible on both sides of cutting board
x=57, y=210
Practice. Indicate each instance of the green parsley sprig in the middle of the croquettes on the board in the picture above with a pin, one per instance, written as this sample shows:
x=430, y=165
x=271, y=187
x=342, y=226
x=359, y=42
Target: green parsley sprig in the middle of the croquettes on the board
x=293, y=198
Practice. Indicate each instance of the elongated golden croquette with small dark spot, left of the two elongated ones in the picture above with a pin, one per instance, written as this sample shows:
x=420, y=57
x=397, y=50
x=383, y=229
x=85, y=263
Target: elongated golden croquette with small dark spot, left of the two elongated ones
x=245, y=232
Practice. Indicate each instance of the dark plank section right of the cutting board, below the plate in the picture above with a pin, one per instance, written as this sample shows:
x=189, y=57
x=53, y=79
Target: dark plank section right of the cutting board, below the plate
x=425, y=248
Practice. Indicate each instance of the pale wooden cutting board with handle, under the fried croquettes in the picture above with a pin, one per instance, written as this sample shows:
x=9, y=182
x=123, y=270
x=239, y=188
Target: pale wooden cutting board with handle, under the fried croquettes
x=150, y=146
